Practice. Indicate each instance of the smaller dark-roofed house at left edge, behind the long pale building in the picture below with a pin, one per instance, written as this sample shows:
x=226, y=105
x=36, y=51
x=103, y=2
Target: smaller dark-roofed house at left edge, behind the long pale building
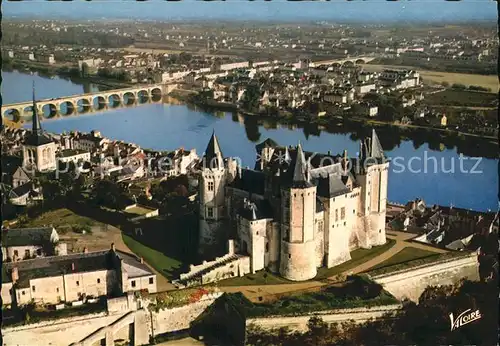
x=26, y=243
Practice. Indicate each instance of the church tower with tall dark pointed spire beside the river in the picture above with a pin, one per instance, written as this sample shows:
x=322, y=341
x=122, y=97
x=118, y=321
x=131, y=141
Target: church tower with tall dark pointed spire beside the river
x=39, y=151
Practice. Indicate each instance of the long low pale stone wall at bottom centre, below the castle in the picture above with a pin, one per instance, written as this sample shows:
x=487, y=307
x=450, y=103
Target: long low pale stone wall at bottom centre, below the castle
x=299, y=323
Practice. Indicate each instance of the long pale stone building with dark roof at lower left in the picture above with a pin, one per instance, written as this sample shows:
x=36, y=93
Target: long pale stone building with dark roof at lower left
x=55, y=279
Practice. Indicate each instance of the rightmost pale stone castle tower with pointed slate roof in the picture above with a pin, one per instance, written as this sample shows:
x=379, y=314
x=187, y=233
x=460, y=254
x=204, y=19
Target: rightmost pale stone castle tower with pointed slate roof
x=373, y=180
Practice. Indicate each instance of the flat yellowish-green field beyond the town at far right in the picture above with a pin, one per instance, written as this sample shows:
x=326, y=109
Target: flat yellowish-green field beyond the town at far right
x=437, y=77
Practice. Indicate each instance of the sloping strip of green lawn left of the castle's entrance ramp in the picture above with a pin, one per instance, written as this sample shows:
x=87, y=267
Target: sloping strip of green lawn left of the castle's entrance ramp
x=162, y=263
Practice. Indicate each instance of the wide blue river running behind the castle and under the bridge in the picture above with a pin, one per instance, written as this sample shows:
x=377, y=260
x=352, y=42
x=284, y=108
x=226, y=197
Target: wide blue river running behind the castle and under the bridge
x=437, y=176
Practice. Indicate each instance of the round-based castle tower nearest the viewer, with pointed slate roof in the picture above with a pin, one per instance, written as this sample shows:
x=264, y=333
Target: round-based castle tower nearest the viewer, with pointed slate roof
x=298, y=245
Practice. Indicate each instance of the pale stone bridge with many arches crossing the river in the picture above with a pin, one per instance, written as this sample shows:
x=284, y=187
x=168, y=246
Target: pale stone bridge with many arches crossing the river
x=88, y=103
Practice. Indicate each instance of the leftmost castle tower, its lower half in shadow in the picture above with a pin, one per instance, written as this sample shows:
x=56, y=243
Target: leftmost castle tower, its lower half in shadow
x=212, y=182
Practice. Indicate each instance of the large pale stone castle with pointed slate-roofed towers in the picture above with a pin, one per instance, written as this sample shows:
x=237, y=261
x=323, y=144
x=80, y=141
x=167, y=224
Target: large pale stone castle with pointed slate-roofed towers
x=295, y=211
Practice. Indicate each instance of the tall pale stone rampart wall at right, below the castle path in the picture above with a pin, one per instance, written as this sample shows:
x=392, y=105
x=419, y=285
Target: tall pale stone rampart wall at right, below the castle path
x=410, y=283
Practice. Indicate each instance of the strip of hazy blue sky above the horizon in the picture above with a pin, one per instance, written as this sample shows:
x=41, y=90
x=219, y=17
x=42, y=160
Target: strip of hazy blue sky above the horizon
x=381, y=11
